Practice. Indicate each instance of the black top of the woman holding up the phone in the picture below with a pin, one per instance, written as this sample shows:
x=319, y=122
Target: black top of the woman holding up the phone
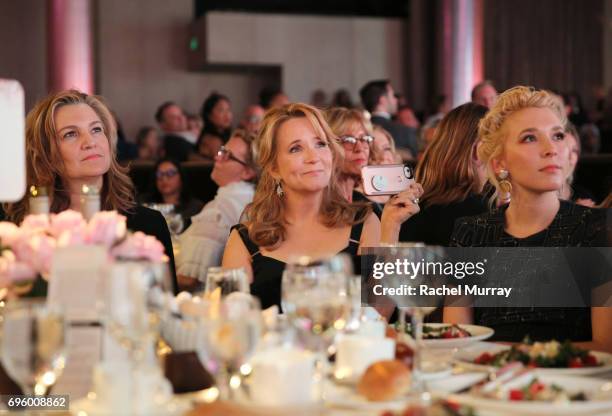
x=268, y=271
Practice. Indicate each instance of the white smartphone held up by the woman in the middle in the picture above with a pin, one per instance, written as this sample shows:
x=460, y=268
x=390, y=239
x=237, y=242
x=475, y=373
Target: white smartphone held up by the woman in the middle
x=386, y=179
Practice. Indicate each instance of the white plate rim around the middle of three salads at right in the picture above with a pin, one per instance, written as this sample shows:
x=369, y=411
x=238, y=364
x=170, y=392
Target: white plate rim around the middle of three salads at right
x=467, y=356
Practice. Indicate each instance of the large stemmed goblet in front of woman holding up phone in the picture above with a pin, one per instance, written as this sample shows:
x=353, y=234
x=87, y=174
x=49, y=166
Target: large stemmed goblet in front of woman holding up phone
x=316, y=298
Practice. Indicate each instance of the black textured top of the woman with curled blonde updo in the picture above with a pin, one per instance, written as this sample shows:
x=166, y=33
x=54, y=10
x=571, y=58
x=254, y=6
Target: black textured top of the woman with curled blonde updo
x=573, y=226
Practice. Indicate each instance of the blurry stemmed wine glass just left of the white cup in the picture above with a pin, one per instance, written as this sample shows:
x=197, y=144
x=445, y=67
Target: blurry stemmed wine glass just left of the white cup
x=233, y=326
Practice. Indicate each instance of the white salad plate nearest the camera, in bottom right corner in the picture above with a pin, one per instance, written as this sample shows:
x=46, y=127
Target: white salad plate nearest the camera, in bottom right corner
x=599, y=390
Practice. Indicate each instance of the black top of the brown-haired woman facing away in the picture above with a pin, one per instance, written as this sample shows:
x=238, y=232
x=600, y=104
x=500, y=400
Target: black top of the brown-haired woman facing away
x=433, y=225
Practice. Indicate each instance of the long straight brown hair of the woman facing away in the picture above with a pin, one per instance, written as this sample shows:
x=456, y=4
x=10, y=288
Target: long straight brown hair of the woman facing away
x=447, y=171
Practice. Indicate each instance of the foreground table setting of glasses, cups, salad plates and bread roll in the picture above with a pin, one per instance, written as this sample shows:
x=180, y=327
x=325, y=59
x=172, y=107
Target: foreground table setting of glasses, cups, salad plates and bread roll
x=216, y=352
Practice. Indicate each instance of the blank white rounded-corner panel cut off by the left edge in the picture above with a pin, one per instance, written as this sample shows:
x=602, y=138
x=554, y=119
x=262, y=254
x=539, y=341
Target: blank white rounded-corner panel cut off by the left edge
x=12, y=141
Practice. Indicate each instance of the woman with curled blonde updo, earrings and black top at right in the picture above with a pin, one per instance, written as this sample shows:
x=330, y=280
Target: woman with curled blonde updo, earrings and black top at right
x=524, y=149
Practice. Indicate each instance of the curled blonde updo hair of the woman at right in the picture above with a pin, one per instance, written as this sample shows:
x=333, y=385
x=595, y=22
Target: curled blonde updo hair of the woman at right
x=490, y=129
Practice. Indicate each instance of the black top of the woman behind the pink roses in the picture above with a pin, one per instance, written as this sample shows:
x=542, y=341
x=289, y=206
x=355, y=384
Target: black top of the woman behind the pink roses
x=152, y=223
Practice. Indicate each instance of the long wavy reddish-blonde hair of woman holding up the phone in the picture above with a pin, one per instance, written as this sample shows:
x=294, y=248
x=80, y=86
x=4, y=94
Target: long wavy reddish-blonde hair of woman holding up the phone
x=265, y=216
